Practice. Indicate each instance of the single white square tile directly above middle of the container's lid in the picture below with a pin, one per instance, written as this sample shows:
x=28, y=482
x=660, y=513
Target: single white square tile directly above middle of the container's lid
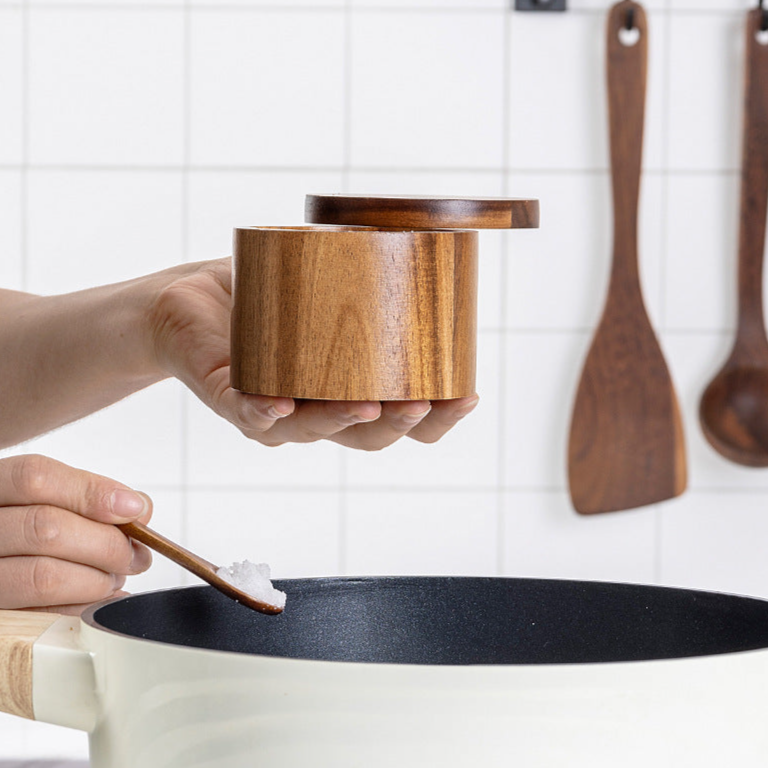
x=420, y=95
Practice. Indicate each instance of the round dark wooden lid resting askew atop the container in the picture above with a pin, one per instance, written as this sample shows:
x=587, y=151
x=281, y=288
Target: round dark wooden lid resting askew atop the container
x=422, y=212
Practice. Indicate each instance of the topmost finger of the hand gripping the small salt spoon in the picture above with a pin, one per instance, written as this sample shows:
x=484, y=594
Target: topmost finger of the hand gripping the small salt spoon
x=34, y=479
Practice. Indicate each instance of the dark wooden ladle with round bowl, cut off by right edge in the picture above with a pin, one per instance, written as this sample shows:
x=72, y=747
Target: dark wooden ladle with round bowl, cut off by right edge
x=734, y=407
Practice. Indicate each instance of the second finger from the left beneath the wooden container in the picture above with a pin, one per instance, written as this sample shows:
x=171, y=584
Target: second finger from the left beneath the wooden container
x=314, y=420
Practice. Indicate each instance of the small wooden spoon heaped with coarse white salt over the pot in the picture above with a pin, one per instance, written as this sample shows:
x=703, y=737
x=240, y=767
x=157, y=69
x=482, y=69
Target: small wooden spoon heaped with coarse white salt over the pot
x=254, y=591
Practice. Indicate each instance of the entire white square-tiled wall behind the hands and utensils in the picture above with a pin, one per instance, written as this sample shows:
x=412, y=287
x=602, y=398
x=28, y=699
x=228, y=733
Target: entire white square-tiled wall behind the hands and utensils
x=134, y=135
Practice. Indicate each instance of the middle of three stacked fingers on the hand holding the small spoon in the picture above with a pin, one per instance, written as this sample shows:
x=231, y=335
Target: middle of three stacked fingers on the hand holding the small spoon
x=43, y=530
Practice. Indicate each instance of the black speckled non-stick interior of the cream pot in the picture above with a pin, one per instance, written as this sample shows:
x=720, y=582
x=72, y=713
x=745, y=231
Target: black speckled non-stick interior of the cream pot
x=451, y=620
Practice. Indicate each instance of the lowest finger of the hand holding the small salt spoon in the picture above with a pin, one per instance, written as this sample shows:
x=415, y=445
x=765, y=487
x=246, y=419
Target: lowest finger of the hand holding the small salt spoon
x=44, y=581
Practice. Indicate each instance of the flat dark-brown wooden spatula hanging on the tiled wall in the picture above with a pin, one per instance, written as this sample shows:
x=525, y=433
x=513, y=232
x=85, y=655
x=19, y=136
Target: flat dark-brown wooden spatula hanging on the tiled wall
x=626, y=439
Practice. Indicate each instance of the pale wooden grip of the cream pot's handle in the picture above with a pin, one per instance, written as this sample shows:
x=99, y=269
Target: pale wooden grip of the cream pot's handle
x=18, y=632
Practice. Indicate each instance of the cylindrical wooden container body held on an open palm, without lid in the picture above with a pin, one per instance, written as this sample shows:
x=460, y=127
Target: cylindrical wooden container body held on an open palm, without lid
x=353, y=313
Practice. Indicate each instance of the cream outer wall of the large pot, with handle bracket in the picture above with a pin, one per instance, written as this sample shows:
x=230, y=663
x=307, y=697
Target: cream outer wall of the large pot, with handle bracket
x=152, y=705
